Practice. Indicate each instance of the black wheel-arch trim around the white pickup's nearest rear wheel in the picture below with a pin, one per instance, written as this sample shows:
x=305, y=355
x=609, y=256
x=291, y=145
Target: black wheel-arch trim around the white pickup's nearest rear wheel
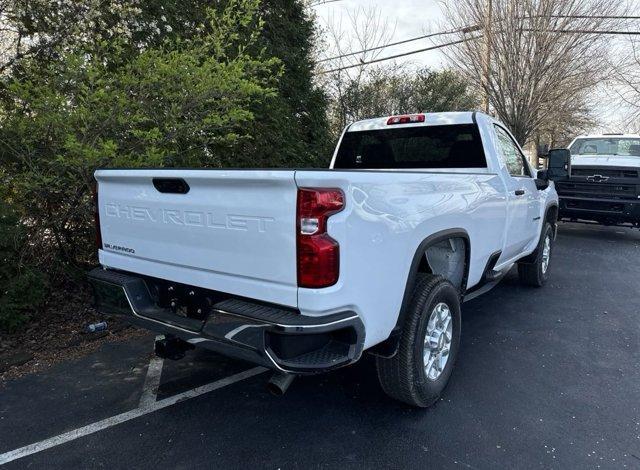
x=389, y=347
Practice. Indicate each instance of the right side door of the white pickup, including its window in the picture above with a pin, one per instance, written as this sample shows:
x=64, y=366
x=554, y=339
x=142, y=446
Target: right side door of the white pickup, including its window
x=523, y=203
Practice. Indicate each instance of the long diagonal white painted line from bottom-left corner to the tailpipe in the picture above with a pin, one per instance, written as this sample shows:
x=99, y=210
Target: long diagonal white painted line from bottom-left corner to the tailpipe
x=123, y=417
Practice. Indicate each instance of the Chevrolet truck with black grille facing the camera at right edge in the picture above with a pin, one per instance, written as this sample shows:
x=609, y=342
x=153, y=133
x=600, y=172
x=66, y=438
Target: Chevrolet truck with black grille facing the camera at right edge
x=603, y=184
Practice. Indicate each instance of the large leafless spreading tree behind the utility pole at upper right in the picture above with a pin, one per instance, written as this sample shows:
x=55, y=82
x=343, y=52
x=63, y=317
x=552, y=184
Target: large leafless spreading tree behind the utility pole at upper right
x=544, y=56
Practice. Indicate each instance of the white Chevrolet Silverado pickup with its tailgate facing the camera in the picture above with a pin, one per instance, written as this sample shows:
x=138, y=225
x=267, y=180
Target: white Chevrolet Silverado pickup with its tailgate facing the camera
x=302, y=271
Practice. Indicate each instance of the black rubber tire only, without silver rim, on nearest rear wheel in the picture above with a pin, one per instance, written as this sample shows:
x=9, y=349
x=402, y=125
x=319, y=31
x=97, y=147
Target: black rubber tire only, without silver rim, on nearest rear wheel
x=403, y=376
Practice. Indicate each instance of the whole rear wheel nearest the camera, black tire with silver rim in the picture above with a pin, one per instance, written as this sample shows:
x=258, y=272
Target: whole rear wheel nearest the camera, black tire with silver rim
x=429, y=344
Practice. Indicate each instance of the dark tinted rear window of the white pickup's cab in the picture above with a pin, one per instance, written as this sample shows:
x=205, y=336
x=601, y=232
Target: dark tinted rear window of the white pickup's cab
x=424, y=147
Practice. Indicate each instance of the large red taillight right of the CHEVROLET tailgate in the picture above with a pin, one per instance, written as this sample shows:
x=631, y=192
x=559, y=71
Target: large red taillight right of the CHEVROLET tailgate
x=318, y=253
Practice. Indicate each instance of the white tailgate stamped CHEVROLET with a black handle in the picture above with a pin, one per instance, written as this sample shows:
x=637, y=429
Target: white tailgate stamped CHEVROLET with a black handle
x=232, y=231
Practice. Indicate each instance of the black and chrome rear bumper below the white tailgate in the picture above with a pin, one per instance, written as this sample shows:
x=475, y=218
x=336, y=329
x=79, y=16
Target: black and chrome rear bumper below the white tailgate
x=271, y=336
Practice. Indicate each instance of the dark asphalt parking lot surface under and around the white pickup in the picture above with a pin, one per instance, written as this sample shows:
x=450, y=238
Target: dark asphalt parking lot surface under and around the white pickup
x=546, y=378
